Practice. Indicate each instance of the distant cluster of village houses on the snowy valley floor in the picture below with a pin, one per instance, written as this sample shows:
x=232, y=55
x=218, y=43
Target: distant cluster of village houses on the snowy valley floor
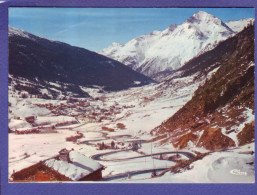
x=87, y=110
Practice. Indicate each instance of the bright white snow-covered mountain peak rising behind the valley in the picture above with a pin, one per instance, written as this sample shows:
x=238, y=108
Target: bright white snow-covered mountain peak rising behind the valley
x=169, y=49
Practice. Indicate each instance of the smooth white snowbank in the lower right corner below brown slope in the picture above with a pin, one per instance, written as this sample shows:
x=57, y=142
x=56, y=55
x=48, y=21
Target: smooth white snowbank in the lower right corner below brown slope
x=218, y=167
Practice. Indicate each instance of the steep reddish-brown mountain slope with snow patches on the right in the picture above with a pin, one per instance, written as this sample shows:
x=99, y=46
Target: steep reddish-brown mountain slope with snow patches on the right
x=221, y=112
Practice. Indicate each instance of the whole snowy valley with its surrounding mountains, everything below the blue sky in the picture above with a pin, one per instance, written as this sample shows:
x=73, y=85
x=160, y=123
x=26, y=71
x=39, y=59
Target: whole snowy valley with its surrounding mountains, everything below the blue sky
x=194, y=126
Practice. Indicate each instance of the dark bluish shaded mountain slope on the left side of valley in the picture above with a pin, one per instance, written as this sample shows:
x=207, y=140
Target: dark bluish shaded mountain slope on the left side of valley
x=33, y=57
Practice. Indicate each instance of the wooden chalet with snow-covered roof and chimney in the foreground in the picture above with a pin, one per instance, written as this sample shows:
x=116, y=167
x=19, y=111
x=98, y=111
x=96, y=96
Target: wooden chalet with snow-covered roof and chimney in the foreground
x=69, y=165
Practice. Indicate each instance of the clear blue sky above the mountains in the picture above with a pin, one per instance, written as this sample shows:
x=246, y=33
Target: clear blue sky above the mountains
x=97, y=28
